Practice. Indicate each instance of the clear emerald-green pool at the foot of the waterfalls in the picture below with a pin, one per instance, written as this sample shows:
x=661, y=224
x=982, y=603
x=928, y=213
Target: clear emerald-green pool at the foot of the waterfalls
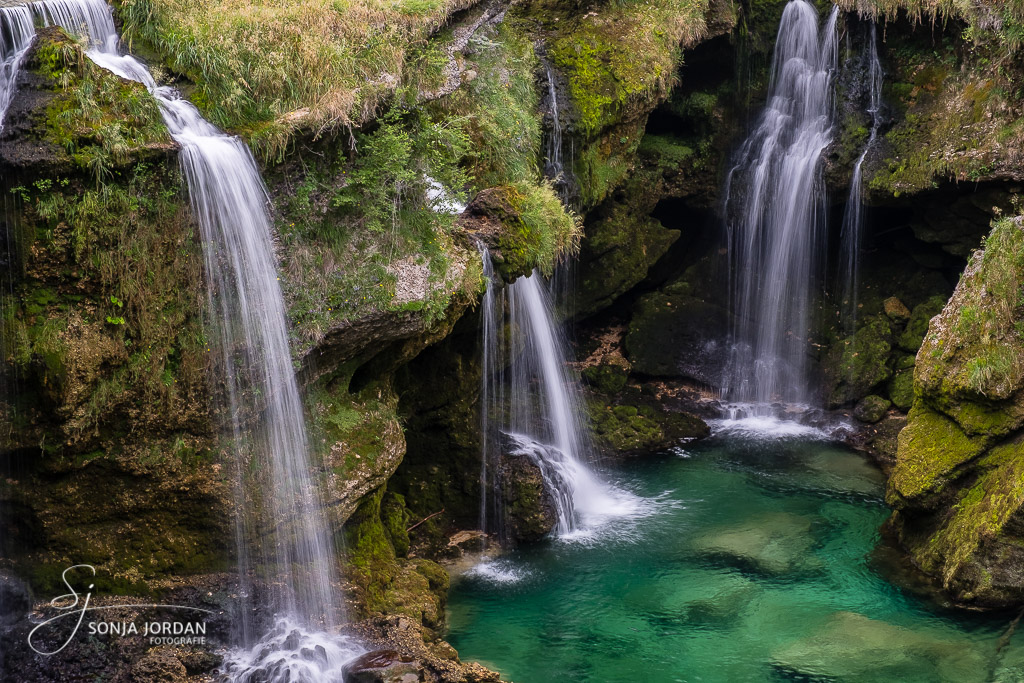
x=753, y=567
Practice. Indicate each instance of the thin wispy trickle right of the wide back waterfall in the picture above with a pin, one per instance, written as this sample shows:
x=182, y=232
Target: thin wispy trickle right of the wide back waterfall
x=854, y=220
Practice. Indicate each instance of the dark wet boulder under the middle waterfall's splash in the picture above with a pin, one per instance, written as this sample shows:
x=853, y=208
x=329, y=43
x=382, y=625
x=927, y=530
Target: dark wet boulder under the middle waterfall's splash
x=530, y=508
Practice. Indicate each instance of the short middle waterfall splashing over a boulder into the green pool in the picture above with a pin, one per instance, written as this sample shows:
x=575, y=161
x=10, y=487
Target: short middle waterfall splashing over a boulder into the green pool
x=532, y=407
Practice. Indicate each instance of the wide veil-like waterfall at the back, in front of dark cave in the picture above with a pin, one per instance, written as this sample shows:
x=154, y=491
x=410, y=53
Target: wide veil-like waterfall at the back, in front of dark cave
x=776, y=216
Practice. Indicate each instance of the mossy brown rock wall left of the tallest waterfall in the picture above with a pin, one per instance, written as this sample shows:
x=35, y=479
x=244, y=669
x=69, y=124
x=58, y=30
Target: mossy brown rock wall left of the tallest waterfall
x=113, y=456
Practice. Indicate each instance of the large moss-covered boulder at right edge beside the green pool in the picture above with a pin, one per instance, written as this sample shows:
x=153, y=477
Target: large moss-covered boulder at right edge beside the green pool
x=957, y=483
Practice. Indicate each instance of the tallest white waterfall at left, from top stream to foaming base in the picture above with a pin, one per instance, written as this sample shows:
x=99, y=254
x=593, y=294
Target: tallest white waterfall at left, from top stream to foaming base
x=249, y=319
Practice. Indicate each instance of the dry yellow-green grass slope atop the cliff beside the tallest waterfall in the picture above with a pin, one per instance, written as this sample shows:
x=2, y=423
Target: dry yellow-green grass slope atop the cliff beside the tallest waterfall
x=266, y=69
